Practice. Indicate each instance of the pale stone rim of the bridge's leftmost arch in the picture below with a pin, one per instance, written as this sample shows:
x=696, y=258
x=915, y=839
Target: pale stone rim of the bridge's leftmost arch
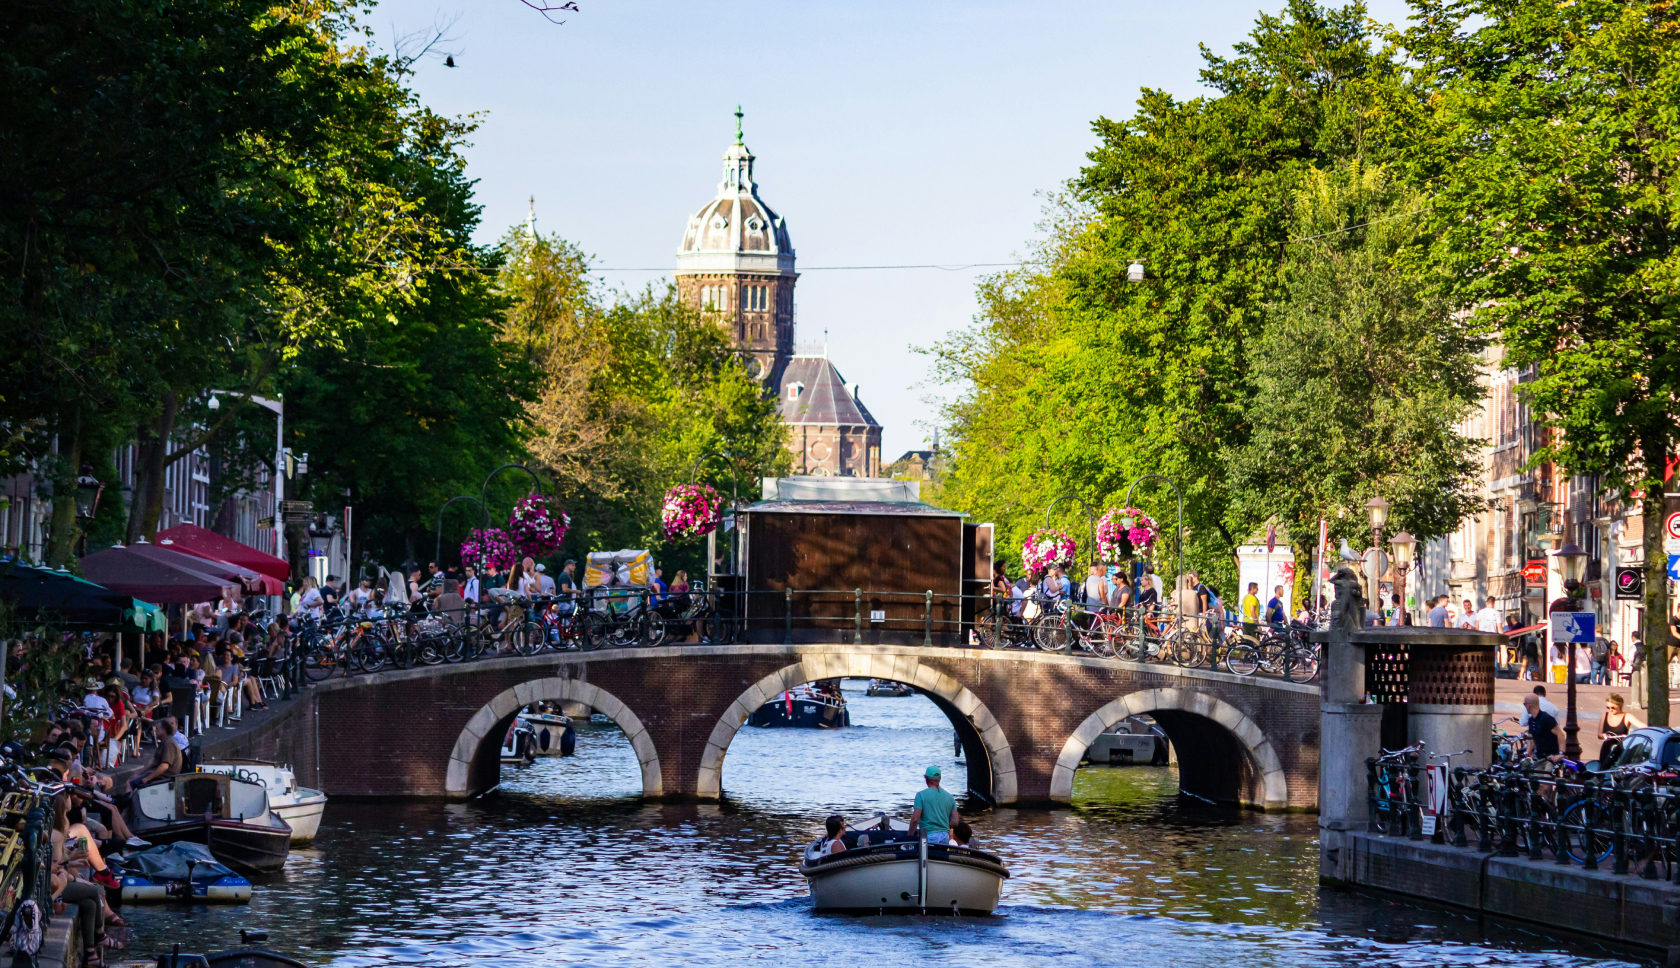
x=475, y=765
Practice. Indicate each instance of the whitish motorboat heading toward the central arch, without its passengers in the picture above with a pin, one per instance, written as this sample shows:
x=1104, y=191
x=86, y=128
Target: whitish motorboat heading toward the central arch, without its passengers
x=893, y=871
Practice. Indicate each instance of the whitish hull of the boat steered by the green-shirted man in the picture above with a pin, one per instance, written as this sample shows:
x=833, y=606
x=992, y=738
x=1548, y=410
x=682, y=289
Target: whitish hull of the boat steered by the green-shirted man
x=893, y=885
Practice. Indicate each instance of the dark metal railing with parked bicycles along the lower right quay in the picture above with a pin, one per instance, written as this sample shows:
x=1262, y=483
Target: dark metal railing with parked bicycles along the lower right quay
x=1625, y=819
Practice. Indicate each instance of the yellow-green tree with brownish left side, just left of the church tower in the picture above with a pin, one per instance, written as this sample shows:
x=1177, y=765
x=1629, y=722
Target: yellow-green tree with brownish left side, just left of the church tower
x=634, y=389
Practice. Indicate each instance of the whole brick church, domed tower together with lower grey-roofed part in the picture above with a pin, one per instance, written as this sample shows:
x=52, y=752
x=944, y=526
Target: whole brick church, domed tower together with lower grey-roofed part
x=737, y=265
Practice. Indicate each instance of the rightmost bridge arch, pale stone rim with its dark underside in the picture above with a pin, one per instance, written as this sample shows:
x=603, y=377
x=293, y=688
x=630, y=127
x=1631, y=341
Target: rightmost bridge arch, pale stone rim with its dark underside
x=1207, y=732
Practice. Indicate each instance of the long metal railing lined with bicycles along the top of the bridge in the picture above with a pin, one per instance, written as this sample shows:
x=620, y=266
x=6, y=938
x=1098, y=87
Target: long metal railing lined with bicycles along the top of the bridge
x=636, y=618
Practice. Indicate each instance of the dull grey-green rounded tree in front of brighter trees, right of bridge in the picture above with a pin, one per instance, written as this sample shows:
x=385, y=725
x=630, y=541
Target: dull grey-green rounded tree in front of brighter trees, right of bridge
x=1362, y=376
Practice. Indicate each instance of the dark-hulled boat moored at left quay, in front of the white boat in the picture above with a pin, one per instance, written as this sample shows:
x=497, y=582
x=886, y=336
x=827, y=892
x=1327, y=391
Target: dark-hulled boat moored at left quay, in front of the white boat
x=228, y=816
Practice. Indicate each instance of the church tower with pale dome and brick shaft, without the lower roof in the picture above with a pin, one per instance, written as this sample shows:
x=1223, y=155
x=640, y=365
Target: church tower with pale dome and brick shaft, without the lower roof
x=737, y=265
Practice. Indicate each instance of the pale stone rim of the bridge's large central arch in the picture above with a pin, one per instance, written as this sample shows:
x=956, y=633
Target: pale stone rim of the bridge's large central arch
x=977, y=727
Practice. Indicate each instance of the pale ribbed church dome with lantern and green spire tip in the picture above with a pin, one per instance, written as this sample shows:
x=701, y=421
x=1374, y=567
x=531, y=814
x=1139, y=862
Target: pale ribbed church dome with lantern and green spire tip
x=737, y=229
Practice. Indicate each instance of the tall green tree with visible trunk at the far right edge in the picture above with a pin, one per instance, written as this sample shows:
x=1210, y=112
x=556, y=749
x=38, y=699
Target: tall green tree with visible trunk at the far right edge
x=1553, y=140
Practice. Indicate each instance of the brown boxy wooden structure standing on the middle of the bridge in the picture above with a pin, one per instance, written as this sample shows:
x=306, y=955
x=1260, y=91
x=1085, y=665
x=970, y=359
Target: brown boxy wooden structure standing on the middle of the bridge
x=874, y=572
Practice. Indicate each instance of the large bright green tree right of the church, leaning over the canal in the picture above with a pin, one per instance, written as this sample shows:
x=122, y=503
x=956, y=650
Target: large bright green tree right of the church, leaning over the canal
x=1079, y=381
